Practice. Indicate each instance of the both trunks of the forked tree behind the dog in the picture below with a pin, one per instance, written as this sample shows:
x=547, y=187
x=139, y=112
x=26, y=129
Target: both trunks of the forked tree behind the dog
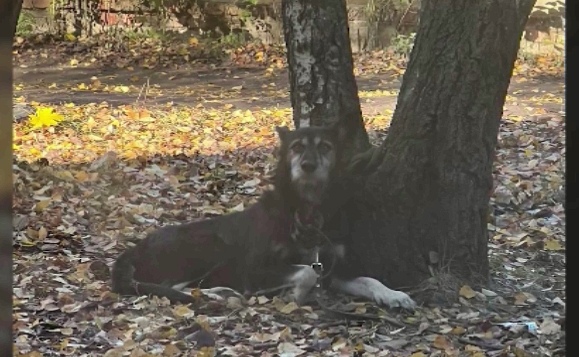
x=425, y=209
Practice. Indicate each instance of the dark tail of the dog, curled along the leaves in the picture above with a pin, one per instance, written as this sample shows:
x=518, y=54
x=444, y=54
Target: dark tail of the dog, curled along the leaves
x=123, y=282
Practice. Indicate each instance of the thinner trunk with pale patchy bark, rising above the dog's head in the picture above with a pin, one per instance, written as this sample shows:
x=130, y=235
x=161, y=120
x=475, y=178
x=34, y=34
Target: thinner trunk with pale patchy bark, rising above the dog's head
x=322, y=84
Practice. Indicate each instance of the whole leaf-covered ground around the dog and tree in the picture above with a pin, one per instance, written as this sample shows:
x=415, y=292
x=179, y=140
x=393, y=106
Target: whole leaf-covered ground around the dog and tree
x=136, y=150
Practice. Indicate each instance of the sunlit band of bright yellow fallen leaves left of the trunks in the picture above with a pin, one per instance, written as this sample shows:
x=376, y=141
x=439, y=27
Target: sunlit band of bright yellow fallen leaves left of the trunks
x=92, y=131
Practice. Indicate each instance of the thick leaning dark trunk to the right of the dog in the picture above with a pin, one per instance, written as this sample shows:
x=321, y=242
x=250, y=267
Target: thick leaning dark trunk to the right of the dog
x=426, y=207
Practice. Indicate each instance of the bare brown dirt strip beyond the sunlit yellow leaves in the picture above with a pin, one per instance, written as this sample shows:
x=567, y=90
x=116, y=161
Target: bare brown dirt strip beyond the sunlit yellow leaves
x=213, y=87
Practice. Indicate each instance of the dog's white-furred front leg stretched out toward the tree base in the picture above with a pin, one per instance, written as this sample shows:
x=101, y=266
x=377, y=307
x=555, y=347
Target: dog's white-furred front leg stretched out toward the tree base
x=374, y=290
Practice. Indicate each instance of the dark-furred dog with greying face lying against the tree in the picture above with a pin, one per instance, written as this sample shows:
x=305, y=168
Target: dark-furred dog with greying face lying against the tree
x=267, y=245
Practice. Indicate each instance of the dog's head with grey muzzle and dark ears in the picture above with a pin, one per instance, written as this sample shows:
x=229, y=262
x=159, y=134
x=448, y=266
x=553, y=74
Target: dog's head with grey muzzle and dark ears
x=307, y=160
